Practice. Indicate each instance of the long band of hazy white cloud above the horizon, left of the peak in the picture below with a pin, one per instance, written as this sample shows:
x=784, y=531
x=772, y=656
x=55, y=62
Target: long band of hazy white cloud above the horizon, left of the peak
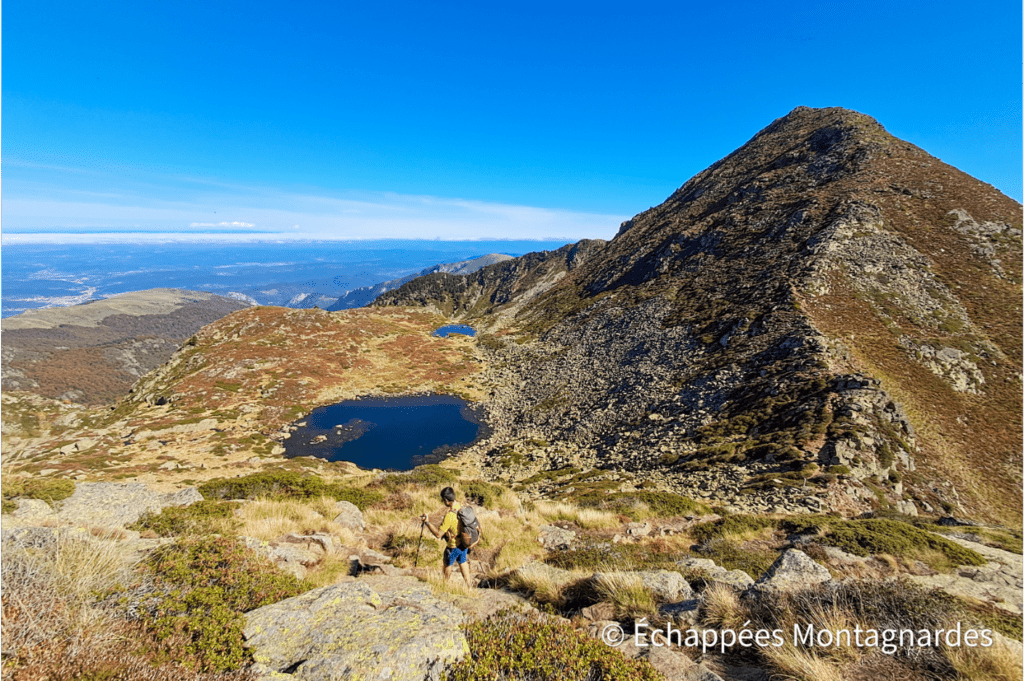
x=86, y=219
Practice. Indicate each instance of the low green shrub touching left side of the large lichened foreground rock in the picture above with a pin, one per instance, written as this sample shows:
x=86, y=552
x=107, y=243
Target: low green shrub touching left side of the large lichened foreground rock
x=211, y=582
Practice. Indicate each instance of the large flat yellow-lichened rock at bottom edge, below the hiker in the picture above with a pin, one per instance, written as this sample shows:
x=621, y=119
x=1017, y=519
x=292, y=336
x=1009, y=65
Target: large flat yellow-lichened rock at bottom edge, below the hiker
x=351, y=631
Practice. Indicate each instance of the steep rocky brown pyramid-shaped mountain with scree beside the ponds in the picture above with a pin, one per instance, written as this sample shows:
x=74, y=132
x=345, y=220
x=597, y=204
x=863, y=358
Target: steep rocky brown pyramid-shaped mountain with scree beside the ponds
x=826, y=294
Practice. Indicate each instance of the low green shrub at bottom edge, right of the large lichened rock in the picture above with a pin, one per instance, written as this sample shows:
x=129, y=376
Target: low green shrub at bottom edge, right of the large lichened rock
x=540, y=650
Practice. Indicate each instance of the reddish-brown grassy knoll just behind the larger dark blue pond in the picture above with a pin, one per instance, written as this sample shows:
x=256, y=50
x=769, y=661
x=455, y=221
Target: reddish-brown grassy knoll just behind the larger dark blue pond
x=281, y=360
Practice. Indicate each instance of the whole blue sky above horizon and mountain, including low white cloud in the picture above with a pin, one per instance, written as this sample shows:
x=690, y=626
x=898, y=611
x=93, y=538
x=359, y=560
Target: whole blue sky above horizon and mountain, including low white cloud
x=458, y=119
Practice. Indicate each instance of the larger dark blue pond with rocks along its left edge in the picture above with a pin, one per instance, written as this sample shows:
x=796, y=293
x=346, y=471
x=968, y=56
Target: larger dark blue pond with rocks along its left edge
x=396, y=434
